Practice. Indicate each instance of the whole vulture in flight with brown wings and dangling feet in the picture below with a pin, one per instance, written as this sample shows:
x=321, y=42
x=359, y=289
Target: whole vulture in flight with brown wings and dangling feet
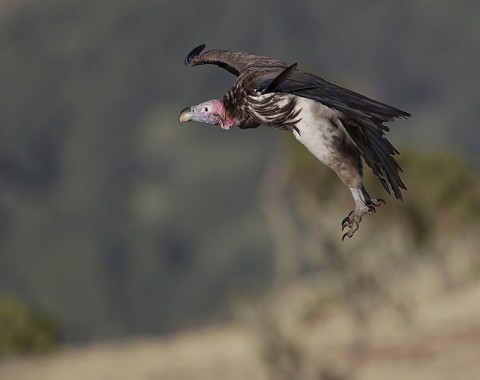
x=338, y=126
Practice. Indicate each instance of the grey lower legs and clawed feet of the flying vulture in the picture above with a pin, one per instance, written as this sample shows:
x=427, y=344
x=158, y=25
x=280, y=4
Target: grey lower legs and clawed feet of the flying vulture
x=364, y=204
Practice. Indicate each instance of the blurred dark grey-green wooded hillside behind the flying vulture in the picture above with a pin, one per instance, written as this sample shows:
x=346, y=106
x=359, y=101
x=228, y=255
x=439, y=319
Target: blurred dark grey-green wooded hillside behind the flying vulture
x=120, y=222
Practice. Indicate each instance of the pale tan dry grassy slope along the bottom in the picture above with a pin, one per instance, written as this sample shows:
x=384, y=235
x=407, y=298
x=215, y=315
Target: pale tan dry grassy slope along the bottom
x=439, y=341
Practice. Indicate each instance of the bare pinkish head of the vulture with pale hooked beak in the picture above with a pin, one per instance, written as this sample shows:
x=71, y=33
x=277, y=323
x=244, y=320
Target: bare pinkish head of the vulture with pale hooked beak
x=209, y=112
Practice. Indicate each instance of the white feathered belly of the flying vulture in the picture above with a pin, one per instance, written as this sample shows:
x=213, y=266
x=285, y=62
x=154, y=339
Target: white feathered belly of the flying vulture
x=319, y=130
